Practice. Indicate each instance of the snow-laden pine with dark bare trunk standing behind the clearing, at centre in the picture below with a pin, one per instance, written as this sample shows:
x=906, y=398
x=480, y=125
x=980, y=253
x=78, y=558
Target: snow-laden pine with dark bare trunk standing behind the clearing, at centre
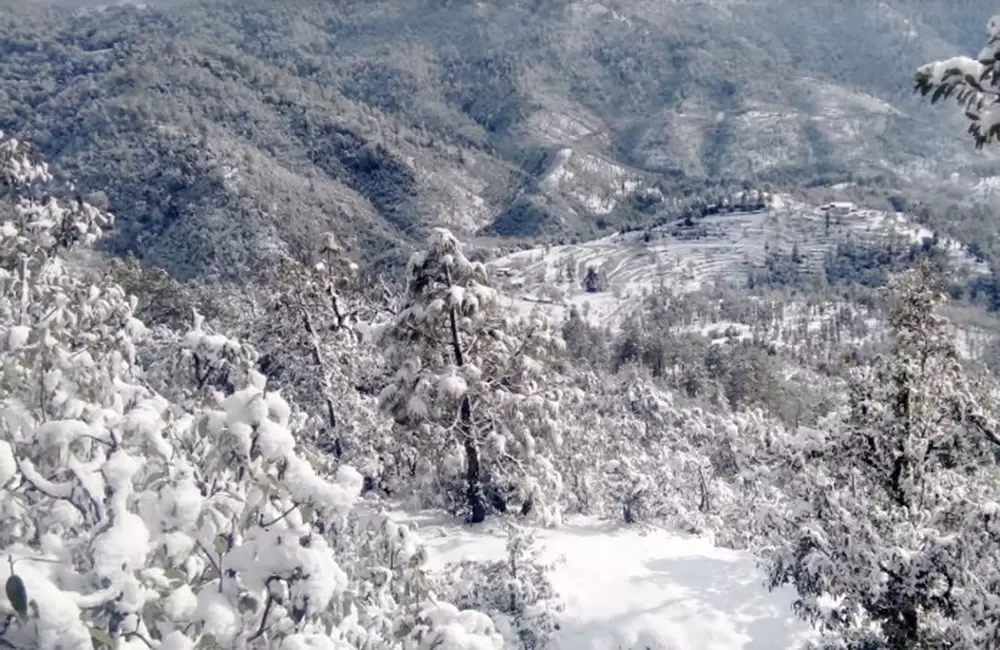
x=473, y=392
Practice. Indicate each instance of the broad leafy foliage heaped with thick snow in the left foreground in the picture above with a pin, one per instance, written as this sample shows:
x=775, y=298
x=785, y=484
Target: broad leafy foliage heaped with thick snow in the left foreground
x=135, y=521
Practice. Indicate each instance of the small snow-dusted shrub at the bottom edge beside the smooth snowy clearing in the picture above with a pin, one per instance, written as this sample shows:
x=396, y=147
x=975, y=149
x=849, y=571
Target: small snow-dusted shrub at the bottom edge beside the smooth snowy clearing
x=515, y=592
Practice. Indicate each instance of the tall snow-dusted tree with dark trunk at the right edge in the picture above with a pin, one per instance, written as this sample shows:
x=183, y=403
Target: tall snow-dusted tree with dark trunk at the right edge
x=891, y=539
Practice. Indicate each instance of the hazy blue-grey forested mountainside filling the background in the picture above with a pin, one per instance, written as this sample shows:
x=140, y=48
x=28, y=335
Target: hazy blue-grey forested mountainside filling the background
x=226, y=131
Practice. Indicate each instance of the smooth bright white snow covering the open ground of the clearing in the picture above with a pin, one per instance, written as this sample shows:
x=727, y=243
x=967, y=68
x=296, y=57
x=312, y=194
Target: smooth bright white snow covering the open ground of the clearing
x=630, y=589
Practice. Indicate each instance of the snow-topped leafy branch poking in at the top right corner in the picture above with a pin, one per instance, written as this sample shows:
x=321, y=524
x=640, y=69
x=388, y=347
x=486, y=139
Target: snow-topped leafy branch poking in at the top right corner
x=974, y=83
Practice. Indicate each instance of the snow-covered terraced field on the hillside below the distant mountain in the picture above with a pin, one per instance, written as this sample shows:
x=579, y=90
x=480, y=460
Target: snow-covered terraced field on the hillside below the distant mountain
x=725, y=248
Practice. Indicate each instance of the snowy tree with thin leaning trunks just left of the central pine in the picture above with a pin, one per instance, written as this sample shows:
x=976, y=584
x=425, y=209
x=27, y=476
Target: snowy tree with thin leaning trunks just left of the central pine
x=312, y=346
